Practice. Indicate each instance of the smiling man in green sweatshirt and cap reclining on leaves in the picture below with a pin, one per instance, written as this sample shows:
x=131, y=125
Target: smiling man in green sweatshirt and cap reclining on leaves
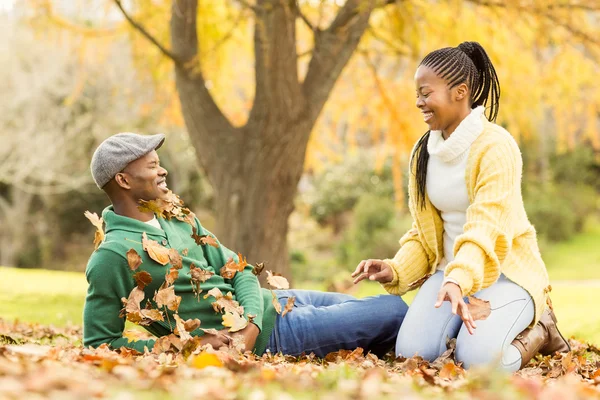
x=127, y=167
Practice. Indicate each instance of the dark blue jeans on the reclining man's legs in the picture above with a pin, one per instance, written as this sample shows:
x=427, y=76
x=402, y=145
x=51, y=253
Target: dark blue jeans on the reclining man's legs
x=323, y=322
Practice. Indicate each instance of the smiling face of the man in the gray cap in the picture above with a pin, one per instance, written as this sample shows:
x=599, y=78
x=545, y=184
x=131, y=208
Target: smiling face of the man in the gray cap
x=146, y=178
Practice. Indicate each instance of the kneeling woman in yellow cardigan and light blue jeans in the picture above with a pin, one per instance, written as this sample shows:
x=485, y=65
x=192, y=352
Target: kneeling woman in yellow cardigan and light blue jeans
x=470, y=236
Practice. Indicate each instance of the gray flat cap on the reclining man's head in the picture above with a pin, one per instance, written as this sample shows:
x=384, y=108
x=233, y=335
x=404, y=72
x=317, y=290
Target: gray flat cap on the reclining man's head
x=113, y=154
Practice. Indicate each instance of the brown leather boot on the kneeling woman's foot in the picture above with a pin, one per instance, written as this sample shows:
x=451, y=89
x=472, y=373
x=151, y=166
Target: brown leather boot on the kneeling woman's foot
x=544, y=338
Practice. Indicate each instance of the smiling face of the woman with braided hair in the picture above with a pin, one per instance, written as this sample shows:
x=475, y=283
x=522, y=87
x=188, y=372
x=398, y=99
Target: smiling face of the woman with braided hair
x=442, y=108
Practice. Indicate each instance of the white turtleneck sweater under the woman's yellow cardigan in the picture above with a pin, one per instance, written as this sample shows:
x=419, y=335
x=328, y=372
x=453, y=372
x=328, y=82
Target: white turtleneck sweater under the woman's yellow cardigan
x=446, y=177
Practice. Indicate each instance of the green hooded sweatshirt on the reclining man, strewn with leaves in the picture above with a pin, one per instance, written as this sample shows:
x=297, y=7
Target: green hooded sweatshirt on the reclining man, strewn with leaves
x=110, y=279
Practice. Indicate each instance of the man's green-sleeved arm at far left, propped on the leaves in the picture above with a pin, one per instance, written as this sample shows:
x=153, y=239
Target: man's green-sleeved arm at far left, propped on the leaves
x=109, y=280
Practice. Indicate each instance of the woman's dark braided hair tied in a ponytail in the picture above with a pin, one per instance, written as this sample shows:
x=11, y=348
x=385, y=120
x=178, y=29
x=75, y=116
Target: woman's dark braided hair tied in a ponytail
x=468, y=63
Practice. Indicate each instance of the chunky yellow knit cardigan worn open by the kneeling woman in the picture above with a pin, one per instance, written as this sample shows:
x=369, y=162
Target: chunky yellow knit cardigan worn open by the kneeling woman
x=497, y=238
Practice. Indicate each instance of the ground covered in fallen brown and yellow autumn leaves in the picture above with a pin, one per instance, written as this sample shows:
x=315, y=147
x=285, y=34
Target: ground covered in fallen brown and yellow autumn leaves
x=45, y=362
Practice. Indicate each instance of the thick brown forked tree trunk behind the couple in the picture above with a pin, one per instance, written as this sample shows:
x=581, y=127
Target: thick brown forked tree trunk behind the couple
x=255, y=169
